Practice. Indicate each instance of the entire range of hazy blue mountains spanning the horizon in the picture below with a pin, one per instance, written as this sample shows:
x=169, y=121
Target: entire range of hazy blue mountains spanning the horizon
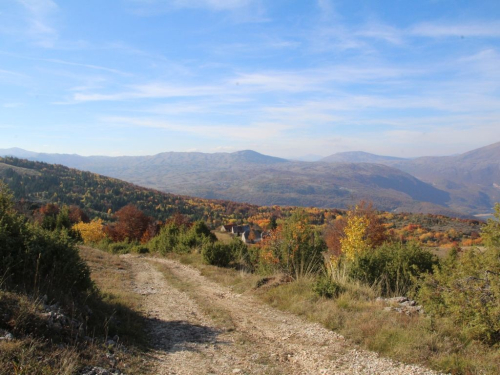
x=453, y=185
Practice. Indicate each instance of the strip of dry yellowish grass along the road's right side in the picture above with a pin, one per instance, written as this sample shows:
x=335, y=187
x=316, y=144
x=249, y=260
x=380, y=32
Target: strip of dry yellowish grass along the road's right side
x=362, y=320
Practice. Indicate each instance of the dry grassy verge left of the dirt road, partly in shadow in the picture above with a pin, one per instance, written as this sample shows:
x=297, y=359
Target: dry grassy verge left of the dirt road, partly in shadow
x=41, y=349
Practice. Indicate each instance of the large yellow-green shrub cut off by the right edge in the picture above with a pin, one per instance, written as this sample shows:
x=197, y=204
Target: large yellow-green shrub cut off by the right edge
x=466, y=288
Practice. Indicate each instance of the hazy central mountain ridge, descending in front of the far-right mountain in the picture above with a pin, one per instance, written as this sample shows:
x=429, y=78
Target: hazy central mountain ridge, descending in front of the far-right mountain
x=247, y=176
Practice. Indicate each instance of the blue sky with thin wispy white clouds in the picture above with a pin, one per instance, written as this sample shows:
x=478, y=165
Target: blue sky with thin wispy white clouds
x=286, y=78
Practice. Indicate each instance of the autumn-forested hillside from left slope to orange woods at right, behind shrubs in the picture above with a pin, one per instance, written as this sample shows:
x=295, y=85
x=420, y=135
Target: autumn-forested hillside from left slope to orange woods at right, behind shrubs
x=38, y=184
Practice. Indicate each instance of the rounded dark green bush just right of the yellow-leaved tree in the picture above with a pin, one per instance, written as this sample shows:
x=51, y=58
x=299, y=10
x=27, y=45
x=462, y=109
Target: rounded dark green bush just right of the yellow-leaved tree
x=394, y=267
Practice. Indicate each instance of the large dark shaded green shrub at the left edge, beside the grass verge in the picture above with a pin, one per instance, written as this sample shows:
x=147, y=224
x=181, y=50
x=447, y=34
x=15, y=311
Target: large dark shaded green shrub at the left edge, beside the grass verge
x=35, y=259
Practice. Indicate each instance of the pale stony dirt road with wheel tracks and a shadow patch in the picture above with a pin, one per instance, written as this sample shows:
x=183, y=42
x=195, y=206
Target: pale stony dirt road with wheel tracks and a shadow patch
x=199, y=327
